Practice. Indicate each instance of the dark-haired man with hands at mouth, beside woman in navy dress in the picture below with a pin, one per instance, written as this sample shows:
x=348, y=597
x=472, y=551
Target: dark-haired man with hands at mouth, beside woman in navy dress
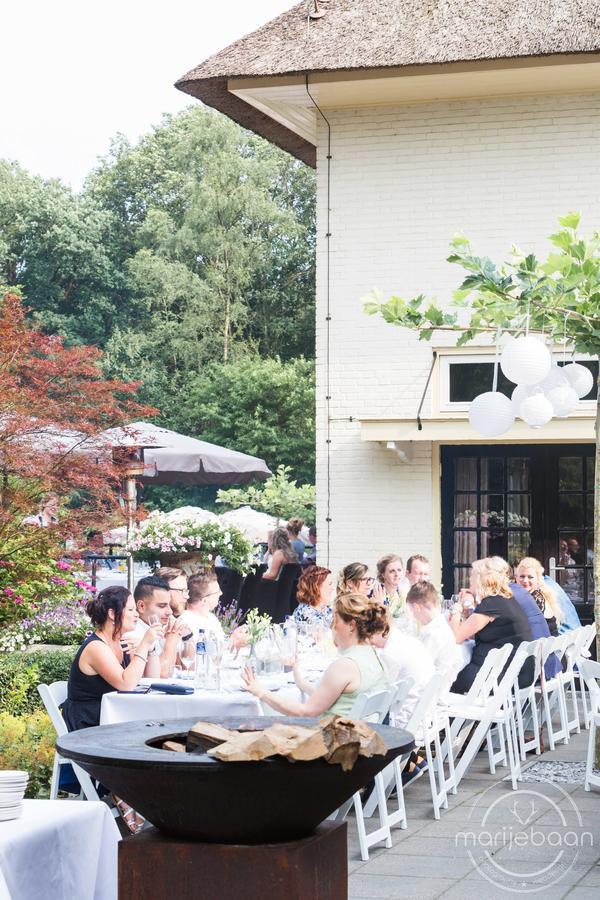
x=153, y=603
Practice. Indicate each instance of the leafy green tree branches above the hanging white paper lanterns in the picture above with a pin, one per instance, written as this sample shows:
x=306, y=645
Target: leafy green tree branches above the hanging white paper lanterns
x=560, y=296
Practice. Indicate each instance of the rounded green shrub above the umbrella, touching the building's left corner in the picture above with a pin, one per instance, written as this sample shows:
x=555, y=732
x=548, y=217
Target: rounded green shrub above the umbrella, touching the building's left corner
x=264, y=407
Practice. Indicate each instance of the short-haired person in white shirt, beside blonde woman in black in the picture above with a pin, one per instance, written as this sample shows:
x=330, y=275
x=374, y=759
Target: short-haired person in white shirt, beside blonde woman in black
x=435, y=633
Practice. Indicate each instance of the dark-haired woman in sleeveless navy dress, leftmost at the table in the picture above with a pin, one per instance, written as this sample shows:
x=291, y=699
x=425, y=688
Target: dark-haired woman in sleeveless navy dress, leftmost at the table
x=101, y=664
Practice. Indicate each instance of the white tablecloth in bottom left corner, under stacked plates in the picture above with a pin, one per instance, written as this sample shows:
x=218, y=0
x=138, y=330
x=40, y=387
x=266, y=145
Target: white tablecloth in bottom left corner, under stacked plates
x=59, y=850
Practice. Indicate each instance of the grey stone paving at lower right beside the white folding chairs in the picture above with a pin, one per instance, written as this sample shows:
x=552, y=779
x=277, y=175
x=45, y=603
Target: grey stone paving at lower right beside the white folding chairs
x=434, y=859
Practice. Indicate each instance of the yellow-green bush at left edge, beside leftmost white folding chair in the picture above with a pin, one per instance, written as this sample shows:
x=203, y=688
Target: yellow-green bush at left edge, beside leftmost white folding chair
x=27, y=742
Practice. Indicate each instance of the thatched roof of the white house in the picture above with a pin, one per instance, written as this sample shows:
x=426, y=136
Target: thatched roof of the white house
x=373, y=34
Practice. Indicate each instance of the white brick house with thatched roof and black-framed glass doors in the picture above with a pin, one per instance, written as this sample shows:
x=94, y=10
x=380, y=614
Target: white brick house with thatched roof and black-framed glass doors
x=481, y=117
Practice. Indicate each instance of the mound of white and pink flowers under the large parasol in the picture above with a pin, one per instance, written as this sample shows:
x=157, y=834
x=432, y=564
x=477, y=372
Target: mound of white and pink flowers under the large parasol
x=159, y=536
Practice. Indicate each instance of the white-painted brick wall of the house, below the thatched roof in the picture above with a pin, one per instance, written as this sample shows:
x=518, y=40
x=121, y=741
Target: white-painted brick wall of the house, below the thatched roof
x=404, y=180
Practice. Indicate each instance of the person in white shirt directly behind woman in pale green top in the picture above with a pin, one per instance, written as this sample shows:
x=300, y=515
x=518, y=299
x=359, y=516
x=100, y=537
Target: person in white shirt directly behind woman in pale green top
x=403, y=657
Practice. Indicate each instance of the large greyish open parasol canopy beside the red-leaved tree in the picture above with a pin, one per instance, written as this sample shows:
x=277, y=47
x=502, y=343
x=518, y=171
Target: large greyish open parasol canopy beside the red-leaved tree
x=172, y=458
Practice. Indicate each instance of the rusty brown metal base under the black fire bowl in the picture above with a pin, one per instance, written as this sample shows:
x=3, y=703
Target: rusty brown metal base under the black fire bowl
x=152, y=864
